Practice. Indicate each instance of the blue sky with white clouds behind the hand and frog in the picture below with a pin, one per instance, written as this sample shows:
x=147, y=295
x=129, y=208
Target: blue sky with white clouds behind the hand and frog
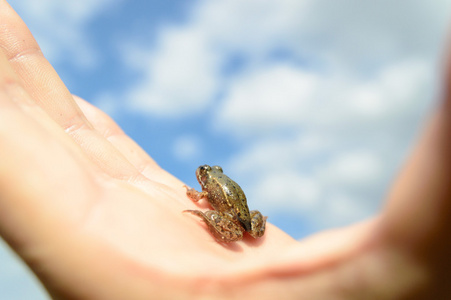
x=311, y=106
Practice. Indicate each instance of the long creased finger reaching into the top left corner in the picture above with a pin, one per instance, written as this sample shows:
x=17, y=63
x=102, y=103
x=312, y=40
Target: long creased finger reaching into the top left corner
x=44, y=86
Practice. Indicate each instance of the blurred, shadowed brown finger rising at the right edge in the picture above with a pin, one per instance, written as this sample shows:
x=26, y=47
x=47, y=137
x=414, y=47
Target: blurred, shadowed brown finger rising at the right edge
x=417, y=215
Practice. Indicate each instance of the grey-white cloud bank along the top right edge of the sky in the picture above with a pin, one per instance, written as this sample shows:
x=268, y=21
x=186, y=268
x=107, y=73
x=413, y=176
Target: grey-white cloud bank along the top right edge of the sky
x=349, y=33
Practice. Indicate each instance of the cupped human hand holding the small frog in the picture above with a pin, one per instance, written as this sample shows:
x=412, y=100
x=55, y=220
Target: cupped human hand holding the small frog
x=96, y=218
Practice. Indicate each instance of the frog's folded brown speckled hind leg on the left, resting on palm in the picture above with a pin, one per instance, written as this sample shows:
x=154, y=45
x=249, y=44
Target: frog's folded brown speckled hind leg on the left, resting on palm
x=220, y=225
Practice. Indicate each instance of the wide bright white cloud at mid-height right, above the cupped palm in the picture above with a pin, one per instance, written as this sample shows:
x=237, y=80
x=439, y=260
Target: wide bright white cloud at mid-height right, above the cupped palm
x=266, y=100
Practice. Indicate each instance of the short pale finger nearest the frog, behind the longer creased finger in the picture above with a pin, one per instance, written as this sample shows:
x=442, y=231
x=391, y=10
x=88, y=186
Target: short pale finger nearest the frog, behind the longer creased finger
x=127, y=146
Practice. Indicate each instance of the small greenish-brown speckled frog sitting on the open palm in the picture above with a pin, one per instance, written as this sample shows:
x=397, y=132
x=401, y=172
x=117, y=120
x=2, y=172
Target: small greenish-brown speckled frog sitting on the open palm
x=230, y=217
